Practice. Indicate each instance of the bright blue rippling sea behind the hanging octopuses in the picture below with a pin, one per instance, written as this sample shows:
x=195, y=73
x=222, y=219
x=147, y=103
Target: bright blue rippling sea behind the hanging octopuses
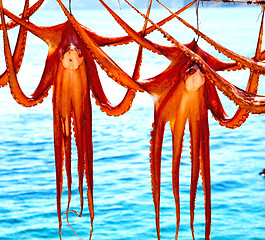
x=122, y=185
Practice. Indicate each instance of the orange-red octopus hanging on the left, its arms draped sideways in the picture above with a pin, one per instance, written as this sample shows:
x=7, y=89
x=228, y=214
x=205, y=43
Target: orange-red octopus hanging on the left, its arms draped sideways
x=72, y=72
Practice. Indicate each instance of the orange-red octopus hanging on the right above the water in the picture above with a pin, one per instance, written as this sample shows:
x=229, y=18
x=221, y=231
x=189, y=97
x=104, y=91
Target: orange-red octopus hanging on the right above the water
x=185, y=92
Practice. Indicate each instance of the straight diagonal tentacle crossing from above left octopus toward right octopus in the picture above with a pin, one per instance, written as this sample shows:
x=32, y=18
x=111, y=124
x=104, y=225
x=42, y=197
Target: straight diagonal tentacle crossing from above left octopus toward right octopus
x=107, y=64
